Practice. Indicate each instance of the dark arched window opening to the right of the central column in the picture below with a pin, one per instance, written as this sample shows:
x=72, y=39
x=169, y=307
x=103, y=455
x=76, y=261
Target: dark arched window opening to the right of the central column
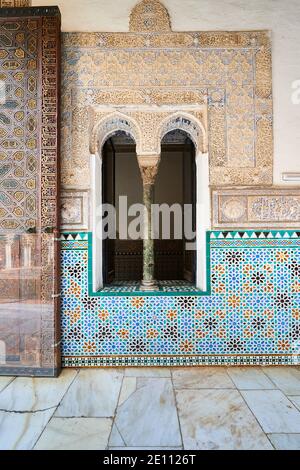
x=175, y=193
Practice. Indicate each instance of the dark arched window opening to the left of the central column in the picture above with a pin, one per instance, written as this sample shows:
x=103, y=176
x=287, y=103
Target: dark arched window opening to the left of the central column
x=121, y=188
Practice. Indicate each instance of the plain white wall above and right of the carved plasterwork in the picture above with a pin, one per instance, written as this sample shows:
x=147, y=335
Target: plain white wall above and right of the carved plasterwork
x=282, y=17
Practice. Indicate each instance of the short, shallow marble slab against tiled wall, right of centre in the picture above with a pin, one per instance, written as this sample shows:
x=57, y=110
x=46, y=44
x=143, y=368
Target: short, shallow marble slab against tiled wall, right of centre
x=201, y=378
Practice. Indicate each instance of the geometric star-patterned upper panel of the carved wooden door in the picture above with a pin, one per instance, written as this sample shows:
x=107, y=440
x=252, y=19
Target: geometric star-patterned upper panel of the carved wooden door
x=19, y=139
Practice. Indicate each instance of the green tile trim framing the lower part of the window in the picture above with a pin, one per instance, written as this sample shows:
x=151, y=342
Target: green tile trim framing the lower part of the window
x=147, y=294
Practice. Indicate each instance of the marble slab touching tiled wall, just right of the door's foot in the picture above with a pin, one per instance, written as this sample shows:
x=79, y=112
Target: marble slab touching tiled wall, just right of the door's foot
x=93, y=394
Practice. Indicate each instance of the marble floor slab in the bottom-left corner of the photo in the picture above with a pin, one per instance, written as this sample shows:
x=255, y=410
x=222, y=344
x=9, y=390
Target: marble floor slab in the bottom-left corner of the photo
x=20, y=431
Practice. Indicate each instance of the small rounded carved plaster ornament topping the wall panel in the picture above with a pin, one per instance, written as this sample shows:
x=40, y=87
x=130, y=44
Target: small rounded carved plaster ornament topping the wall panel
x=149, y=16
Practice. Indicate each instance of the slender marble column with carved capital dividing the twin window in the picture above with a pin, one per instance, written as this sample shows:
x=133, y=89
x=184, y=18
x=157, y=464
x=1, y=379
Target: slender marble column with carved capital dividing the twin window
x=149, y=169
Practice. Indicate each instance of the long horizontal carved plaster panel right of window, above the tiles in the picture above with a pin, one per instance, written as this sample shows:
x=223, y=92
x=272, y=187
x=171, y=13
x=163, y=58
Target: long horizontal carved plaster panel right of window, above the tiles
x=269, y=208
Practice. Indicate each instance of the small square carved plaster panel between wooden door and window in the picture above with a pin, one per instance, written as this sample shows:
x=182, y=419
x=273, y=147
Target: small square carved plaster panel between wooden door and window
x=74, y=210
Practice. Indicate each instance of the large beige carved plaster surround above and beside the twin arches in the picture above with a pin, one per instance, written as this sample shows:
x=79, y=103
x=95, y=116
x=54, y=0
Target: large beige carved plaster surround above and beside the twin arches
x=229, y=72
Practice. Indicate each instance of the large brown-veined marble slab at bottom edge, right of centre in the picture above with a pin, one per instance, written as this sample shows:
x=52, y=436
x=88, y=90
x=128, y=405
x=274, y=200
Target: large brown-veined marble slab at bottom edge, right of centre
x=221, y=421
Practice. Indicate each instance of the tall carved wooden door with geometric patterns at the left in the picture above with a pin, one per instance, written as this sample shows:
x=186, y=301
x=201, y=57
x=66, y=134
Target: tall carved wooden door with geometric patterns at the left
x=29, y=191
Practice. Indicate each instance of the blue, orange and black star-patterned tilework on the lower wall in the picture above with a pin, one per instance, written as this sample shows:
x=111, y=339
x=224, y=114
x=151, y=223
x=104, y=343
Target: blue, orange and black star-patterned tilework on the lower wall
x=251, y=316
